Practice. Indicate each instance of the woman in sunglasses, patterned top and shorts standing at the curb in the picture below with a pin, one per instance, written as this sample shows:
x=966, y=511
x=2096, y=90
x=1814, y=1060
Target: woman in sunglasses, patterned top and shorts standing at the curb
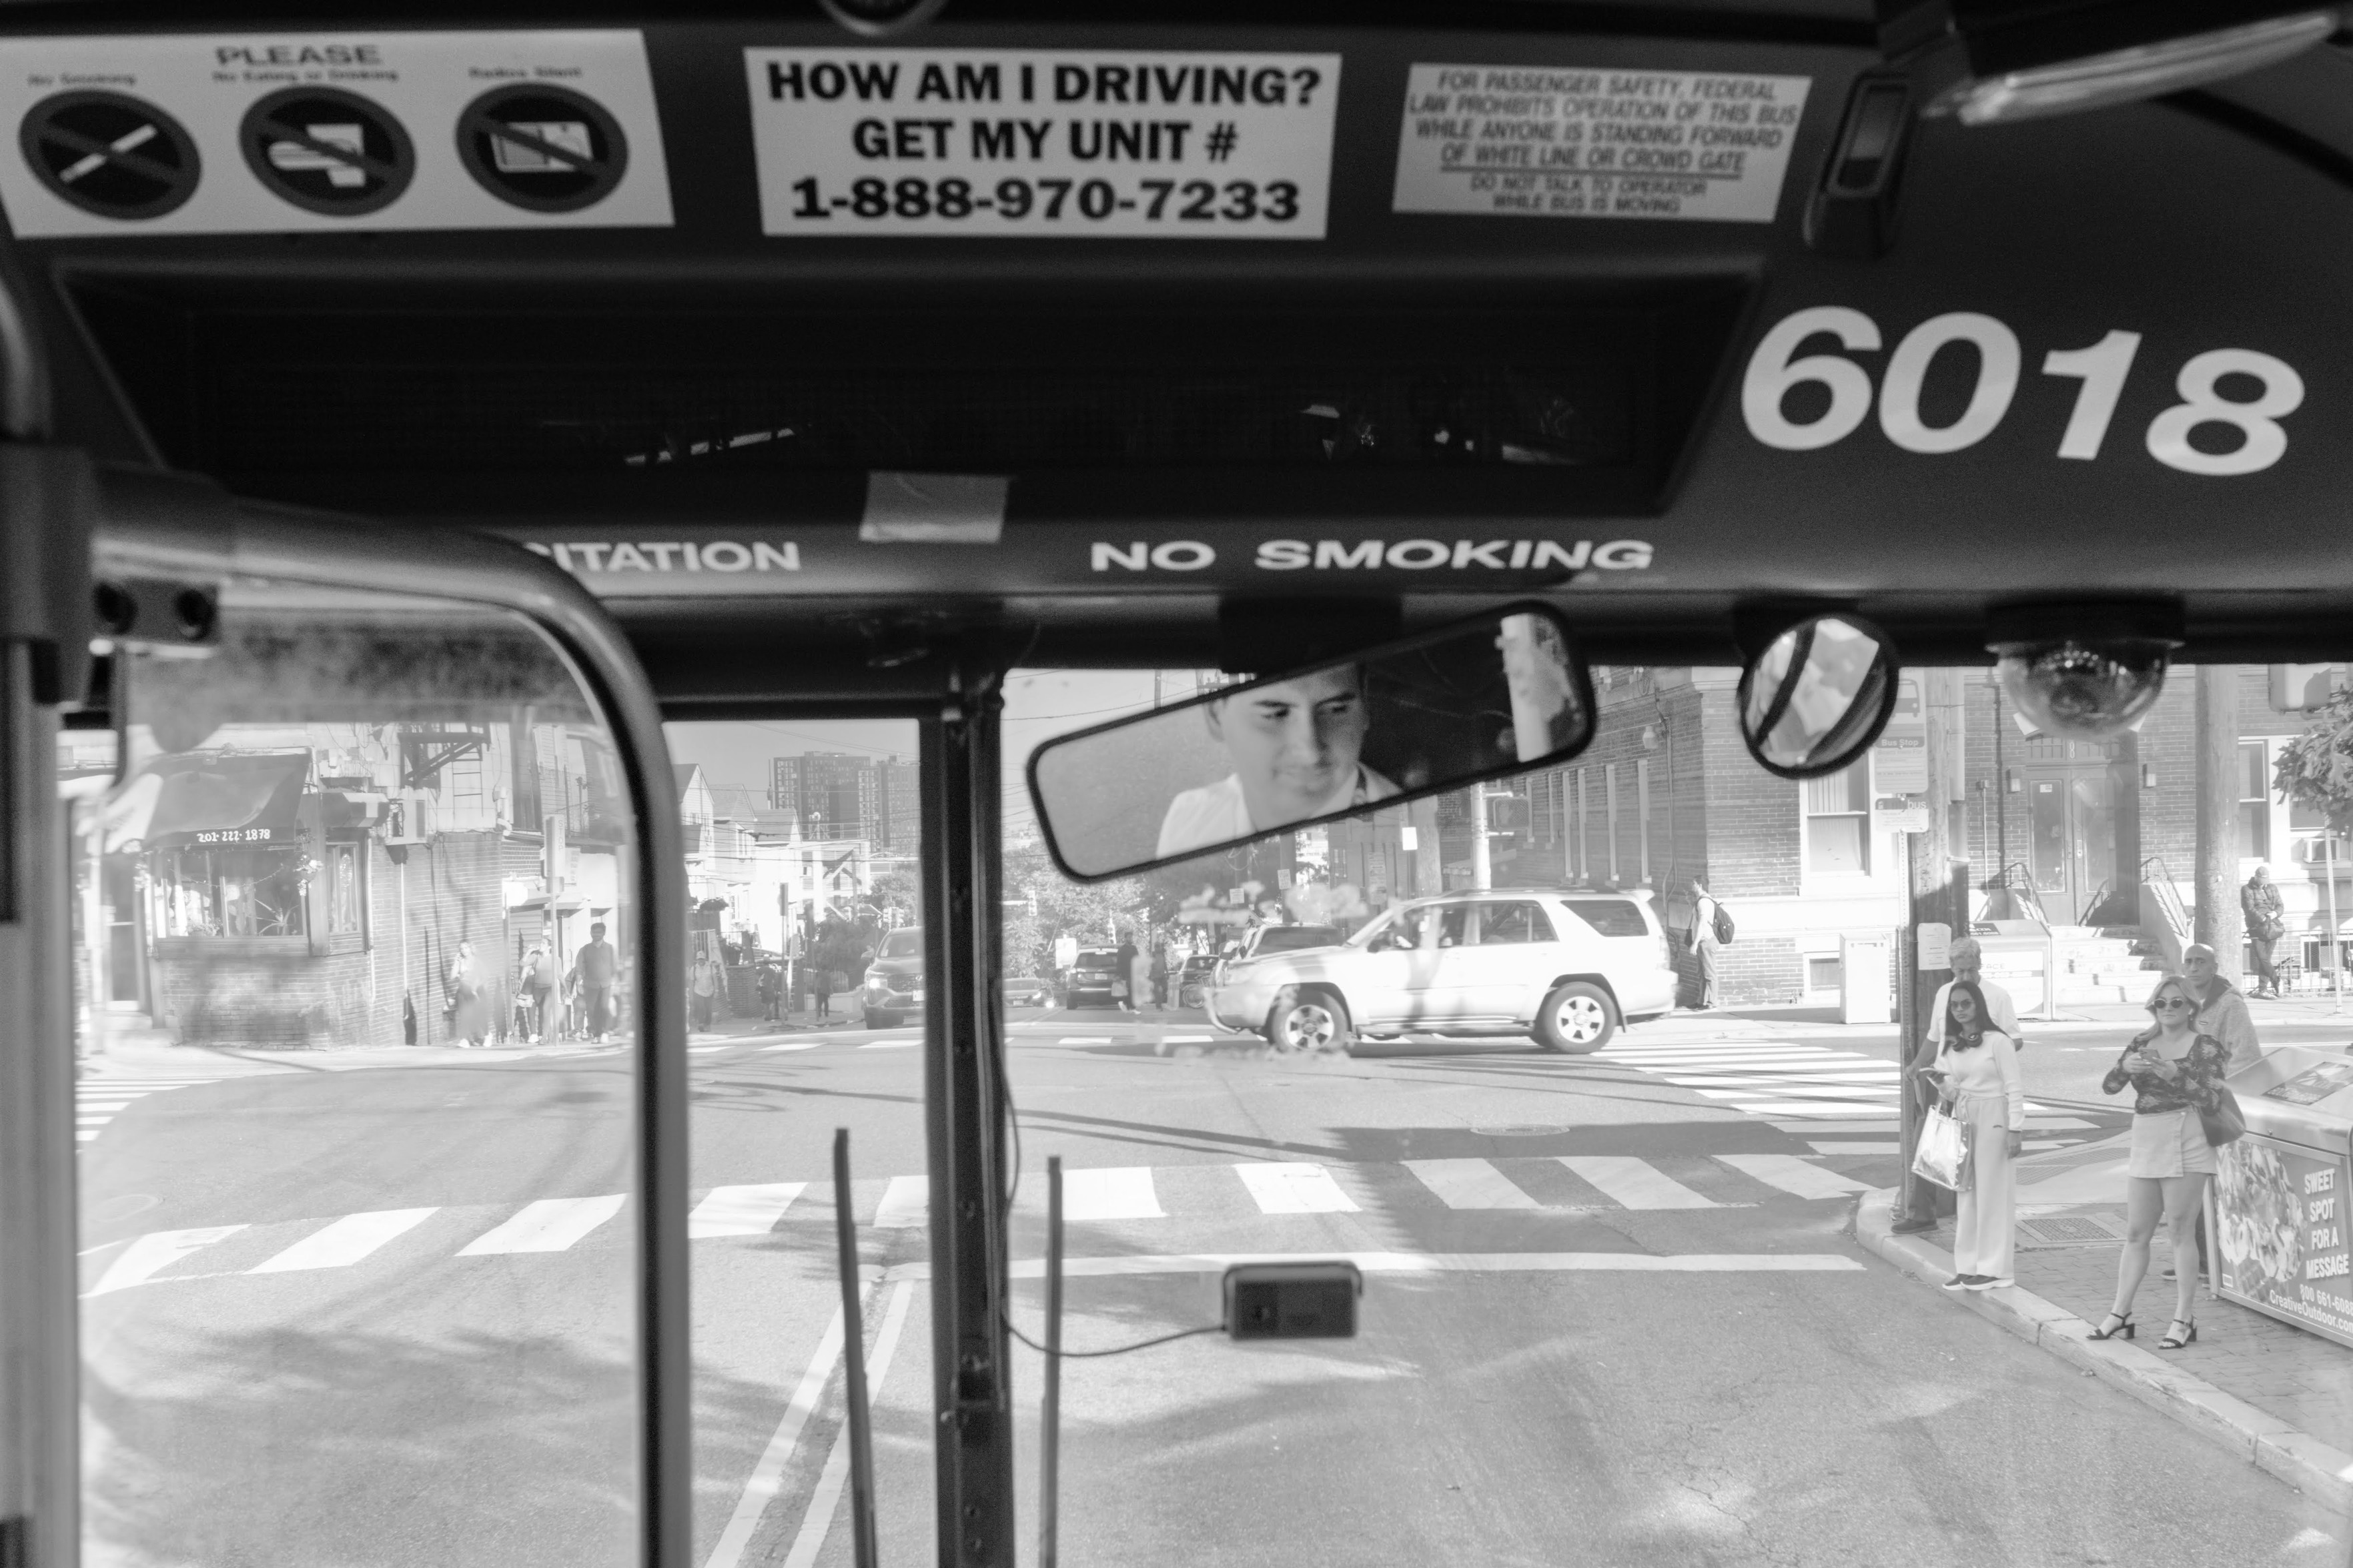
x=2175, y=1071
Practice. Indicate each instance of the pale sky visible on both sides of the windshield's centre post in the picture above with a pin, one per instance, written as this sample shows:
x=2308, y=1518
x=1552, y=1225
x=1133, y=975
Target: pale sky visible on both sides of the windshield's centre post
x=1039, y=706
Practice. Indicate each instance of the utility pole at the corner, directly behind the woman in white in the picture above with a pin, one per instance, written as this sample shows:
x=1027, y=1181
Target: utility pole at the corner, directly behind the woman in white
x=1938, y=880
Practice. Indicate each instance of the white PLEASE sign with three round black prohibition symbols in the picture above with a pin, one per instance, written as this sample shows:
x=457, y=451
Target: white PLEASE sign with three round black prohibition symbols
x=267, y=133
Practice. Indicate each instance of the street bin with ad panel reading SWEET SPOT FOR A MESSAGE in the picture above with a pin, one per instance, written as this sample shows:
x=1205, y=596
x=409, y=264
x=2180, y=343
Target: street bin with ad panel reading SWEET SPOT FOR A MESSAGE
x=2281, y=1191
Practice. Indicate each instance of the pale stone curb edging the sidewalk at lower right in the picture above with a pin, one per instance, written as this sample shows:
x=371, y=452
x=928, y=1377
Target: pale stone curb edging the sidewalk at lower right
x=2267, y=1442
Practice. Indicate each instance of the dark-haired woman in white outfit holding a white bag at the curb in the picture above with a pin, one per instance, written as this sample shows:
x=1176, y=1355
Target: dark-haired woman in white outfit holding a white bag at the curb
x=1980, y=1073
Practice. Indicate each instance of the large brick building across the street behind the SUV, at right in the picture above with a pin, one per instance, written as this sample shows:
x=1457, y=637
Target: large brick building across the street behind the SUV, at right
x=1667, y=793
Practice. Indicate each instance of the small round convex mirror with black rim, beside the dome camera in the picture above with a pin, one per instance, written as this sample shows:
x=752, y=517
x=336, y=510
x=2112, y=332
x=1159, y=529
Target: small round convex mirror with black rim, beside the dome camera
x=1818, y=697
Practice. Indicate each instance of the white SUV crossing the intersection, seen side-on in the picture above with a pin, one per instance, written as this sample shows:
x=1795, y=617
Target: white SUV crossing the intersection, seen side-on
x=1564, y=967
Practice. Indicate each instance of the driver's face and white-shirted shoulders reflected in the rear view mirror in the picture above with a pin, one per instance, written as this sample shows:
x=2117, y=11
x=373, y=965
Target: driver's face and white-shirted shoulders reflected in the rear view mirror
x=1295, y=756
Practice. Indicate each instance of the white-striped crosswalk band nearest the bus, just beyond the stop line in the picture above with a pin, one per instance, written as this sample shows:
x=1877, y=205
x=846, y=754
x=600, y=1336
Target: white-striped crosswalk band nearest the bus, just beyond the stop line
x=1204, y=1193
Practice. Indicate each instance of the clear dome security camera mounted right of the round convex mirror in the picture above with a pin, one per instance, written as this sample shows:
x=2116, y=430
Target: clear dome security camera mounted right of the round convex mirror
x=2084, y=674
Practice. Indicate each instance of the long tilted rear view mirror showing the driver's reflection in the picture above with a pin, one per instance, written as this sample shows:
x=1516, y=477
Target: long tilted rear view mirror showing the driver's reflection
x=1411, y=718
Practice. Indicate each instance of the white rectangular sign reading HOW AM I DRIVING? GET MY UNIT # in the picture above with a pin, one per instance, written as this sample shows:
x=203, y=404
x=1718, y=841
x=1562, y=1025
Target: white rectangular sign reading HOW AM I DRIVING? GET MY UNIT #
x=1044, y=142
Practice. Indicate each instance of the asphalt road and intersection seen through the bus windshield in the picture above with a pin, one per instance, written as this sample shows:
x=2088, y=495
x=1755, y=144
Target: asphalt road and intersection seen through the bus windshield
x=352, y=1313
